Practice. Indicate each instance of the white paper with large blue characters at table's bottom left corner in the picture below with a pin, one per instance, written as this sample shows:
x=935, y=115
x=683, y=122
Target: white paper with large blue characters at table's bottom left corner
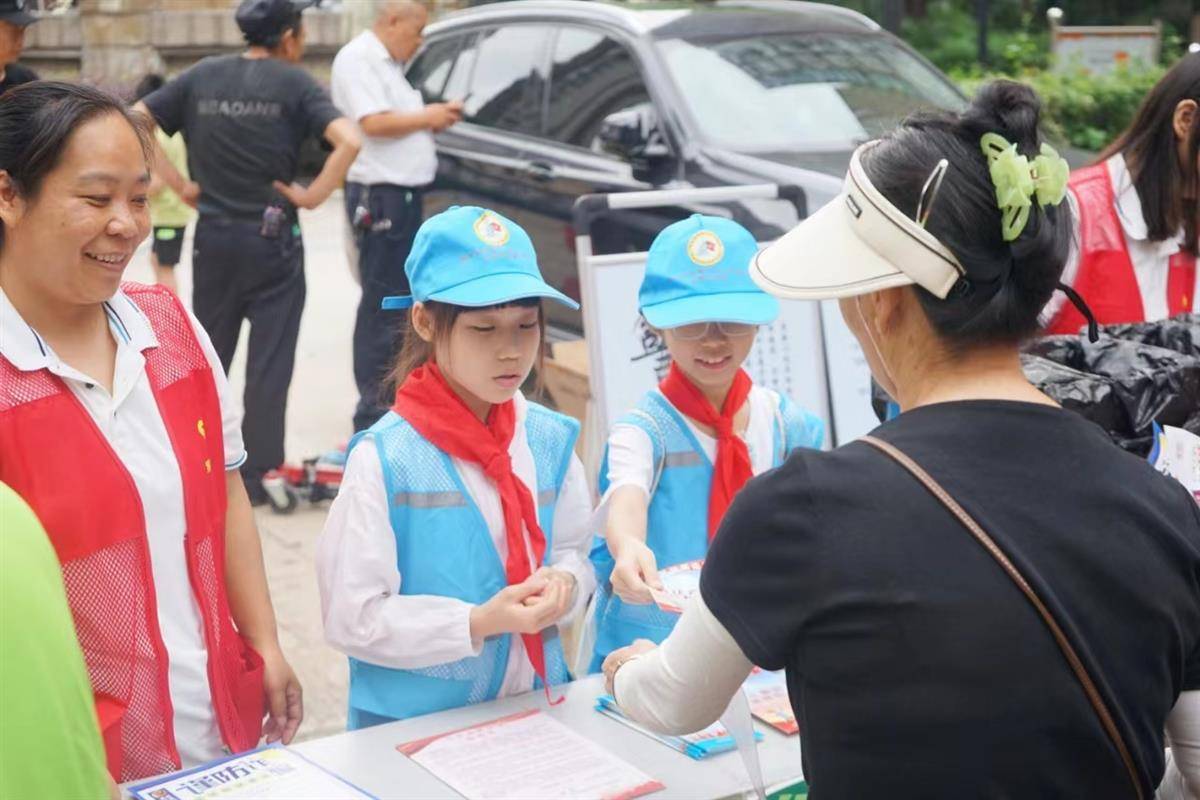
x=271, y=773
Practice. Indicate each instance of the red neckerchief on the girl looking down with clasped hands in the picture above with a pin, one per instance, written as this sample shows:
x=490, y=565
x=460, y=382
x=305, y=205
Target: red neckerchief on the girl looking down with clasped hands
x=437, y=413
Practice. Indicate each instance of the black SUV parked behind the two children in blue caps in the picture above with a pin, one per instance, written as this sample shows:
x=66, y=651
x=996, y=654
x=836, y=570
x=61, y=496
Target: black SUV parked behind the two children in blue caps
x=566, y=98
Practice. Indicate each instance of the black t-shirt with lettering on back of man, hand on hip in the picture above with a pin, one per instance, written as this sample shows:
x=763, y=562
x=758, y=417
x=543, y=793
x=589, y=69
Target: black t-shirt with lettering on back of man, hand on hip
x=244, y=122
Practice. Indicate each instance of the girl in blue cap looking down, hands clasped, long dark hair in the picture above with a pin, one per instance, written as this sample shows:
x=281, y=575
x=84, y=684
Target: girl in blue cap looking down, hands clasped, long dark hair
x=458, y=543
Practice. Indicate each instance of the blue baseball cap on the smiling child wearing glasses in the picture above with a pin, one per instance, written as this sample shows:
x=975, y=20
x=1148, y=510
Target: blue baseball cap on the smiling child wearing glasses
x=698, y=272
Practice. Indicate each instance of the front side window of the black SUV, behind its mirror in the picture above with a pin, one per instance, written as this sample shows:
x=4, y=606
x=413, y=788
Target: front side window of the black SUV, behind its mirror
x=592, y=77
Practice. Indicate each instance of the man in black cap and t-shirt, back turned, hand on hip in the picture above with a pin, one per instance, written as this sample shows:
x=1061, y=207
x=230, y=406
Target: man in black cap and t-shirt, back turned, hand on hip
x=244, y=119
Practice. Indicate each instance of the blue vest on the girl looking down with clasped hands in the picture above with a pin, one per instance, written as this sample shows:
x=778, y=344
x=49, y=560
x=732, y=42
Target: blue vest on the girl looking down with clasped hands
x=443, y=549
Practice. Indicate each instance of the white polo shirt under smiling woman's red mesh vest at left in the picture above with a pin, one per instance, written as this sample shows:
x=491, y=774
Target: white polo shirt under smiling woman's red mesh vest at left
x=133, y=425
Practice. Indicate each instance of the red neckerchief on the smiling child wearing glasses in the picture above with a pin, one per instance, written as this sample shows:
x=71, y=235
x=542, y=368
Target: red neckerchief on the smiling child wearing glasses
x=733, y=467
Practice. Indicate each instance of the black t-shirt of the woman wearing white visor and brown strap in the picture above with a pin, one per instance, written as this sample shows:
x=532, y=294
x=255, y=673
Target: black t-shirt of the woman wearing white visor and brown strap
x=915, y=665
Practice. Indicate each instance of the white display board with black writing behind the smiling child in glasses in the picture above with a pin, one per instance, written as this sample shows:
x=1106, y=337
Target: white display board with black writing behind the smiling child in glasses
x=808, y=354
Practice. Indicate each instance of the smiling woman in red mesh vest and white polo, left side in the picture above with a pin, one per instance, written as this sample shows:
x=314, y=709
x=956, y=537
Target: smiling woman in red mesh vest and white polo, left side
x=117, y=430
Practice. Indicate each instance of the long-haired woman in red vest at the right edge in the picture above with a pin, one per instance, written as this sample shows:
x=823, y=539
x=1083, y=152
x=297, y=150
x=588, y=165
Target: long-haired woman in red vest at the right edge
x=1136, y=258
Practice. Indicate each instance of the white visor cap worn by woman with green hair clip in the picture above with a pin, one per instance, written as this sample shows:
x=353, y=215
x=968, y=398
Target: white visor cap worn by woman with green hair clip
x=857, y=244
